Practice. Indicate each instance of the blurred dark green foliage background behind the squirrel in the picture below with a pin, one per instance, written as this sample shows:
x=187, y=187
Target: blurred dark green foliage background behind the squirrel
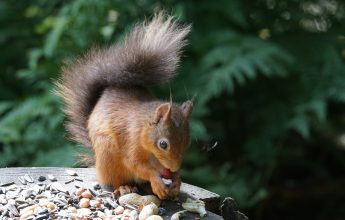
x=269, y=80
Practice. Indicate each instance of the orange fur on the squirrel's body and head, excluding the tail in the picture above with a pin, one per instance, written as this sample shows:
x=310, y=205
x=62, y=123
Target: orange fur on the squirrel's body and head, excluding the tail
x=122, y=128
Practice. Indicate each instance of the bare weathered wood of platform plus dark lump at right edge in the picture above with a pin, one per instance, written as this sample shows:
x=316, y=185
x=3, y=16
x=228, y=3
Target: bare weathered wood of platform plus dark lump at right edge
x=86, y=177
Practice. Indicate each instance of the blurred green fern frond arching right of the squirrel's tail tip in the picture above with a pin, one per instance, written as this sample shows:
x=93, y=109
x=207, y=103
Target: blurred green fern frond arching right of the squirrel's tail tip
x=235, y=63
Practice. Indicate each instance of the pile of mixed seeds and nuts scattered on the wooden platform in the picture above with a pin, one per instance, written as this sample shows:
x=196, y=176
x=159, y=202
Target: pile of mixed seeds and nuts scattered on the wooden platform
x=52, y=200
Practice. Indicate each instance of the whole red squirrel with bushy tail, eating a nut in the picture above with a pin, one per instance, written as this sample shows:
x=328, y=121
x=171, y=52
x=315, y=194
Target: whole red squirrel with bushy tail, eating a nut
x=135, y=137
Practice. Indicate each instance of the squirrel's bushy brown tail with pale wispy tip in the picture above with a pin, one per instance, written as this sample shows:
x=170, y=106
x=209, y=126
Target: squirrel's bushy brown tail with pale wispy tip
x=149, y=55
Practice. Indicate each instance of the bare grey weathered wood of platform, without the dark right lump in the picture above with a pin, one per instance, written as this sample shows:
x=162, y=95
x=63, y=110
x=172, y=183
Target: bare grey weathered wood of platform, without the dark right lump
x=88, y=176
